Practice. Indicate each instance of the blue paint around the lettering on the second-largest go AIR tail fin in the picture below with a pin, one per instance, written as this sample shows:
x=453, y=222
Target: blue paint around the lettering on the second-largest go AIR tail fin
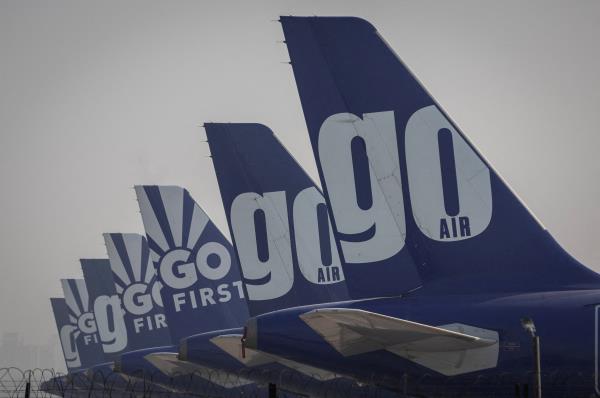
x=248, y=158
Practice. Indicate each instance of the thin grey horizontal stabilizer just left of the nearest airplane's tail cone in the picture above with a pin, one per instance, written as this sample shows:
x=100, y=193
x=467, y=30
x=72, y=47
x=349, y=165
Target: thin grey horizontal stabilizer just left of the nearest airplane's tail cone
x=232, y=344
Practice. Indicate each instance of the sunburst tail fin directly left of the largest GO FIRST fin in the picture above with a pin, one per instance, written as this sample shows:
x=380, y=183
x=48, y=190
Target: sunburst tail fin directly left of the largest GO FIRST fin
x=139, y=290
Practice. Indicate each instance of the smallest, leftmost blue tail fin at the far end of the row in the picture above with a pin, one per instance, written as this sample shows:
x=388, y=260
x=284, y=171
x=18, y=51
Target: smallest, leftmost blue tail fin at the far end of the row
x=66, y=333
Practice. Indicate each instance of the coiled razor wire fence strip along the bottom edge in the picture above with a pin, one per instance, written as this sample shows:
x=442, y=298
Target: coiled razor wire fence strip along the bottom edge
x=254, y=383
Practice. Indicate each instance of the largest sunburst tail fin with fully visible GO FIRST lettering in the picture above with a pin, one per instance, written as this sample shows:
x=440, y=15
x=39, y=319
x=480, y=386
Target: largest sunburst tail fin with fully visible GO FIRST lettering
x=190, y=253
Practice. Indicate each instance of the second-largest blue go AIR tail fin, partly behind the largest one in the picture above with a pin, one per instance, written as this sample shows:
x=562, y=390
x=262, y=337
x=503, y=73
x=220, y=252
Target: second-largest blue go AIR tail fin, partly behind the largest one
x=278, y=220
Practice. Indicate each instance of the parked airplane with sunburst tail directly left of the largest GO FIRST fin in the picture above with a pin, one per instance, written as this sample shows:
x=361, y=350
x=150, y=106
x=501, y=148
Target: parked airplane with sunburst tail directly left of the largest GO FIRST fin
x=139, y=290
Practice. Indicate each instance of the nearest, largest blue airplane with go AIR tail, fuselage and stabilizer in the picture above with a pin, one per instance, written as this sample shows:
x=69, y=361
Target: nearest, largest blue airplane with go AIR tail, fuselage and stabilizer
x=424, y=220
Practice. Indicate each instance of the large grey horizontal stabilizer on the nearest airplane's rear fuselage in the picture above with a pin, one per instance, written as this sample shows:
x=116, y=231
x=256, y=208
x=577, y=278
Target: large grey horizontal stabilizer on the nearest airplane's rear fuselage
x=448, y=349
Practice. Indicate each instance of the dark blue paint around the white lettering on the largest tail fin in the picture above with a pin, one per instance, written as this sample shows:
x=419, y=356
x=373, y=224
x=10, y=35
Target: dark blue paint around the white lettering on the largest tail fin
x=343, y=65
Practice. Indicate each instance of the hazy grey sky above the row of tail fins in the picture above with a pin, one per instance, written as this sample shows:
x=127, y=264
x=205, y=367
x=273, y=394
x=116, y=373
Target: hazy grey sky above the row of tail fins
x=98, y=96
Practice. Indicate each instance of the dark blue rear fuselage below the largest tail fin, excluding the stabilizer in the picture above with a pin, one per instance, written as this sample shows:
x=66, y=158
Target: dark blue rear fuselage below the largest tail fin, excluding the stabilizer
x=566, y=322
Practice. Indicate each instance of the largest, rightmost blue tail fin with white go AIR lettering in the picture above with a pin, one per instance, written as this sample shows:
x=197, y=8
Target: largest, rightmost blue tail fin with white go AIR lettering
x=390, y=159
